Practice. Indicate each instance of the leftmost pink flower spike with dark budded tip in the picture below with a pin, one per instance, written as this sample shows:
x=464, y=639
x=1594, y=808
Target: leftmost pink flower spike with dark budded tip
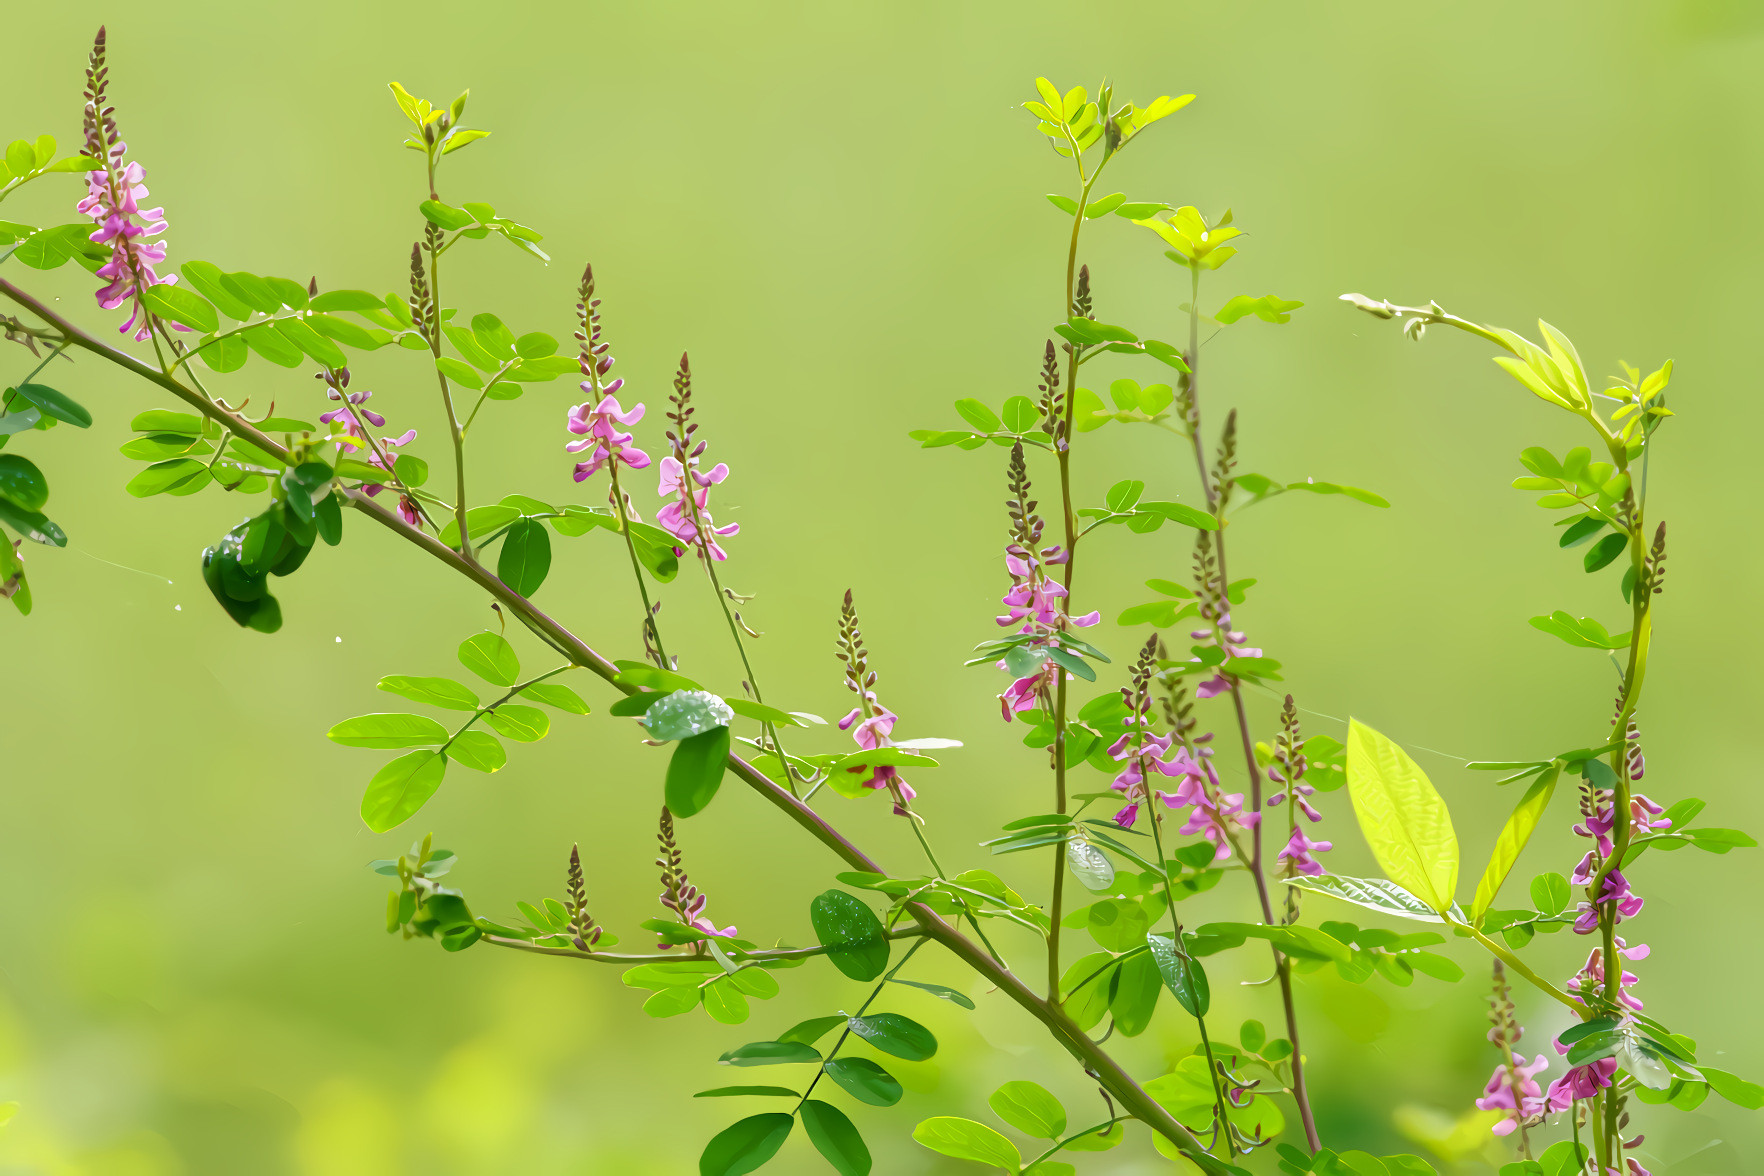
x=114, y=202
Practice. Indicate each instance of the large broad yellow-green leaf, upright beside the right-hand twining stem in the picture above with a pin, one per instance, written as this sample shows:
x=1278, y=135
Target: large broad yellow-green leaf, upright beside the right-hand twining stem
x=1403, y=817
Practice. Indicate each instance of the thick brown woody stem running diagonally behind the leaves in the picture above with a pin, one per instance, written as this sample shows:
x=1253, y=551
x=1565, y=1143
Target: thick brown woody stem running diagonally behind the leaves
x=1096, y=1062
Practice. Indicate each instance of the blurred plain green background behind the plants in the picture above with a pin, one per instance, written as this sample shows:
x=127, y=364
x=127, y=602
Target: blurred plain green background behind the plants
x=839, y=211
